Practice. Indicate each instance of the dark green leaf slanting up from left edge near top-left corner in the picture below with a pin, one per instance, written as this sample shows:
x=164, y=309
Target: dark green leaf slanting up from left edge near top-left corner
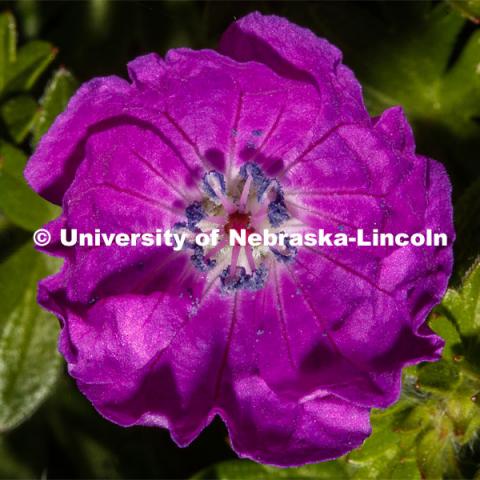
x=32, y=60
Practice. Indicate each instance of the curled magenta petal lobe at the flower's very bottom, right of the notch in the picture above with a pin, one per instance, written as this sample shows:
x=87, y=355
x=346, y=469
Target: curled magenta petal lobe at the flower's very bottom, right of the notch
x=268, y=429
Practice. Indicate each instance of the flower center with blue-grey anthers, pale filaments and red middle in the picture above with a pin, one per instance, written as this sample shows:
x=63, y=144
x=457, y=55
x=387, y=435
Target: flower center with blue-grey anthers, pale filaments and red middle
x=251, y=203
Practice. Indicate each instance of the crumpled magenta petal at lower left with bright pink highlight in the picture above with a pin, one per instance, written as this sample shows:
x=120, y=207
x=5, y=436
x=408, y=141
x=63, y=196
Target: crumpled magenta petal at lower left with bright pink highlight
x=174, y=383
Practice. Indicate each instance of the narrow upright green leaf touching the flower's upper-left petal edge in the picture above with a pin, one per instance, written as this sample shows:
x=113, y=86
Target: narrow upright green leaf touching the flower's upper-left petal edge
x=59, y=90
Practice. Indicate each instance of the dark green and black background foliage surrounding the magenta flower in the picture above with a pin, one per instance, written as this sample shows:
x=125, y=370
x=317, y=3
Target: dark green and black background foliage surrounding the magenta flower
x=423, y=55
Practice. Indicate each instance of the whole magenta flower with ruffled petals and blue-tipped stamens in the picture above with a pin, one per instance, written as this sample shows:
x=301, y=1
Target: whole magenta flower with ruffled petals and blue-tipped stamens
x=293, y=347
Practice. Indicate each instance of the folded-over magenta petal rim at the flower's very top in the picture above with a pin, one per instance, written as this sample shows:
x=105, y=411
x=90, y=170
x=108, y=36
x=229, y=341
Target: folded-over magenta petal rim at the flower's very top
x=297, y=53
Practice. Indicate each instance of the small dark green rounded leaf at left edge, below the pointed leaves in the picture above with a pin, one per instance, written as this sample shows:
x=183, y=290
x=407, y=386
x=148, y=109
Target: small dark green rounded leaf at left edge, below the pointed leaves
x=18, y=116
